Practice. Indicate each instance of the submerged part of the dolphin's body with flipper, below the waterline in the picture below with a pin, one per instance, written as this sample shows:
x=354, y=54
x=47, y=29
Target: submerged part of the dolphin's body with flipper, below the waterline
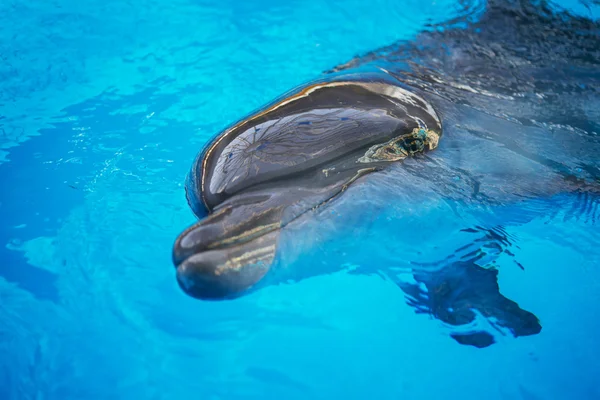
x=517, y=96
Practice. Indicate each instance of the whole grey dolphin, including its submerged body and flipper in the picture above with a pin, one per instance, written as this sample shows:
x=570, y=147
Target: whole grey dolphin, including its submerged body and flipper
x=425, y=147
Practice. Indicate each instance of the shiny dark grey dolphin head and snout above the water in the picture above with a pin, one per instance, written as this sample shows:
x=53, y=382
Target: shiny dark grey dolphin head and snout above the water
x=292, y=156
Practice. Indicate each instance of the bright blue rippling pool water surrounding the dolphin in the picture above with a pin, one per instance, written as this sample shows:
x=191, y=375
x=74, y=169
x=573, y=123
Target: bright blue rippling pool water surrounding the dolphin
x=104, y=105
